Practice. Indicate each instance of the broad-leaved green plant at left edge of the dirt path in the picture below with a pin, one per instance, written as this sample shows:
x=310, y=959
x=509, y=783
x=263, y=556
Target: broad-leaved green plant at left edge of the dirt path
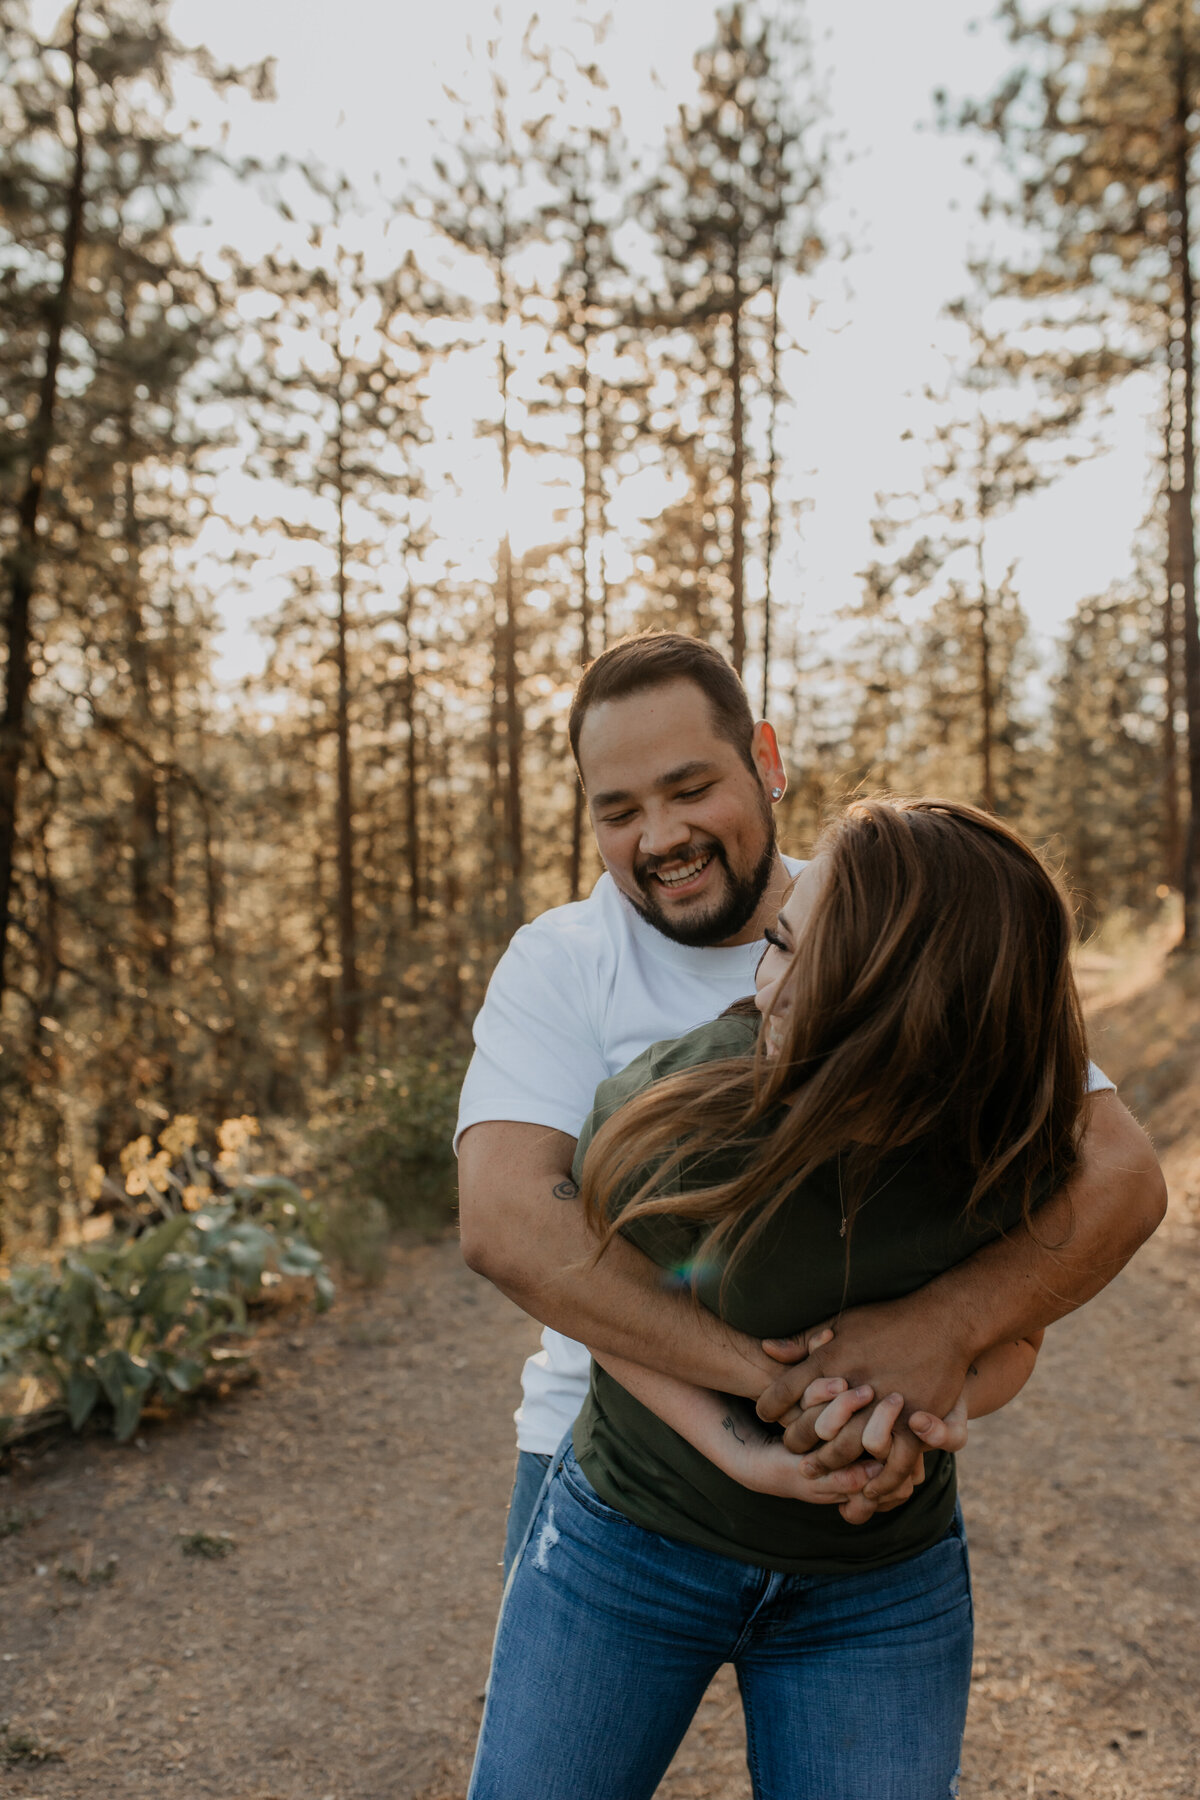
x=138, y=1318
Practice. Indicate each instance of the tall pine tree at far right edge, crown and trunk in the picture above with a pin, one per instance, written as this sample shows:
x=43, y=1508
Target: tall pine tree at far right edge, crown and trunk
x=1100, y=129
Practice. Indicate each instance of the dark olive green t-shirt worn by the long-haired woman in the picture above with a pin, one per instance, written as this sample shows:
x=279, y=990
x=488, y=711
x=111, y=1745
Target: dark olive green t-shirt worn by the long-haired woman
x=796, y=1273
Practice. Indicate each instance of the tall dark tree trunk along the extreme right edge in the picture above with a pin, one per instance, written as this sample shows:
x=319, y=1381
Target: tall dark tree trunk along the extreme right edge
x=1187, y=348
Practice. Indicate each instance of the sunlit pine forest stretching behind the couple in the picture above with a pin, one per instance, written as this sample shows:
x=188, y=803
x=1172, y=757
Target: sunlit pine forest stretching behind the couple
x=442, y=435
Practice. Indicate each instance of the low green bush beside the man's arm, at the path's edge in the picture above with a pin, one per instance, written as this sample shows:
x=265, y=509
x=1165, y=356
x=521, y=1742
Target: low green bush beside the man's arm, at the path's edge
x=390, y=1137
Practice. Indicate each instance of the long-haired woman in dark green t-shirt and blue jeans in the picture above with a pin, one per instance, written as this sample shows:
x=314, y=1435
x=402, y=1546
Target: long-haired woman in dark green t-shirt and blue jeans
x=917, y=1088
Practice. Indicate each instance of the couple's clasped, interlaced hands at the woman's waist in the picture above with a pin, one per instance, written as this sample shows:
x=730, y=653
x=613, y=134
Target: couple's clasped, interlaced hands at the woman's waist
x=854, y=1441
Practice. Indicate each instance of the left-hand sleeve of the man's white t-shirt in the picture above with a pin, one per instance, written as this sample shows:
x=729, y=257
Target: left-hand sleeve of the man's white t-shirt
x=537, y=1050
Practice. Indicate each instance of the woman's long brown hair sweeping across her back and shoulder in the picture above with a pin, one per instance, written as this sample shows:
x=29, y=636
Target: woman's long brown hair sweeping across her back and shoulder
x=933, y=1000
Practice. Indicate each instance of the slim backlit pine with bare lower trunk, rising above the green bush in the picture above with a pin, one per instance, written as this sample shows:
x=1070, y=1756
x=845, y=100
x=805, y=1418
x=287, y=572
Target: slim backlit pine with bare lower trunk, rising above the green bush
x=334, y=399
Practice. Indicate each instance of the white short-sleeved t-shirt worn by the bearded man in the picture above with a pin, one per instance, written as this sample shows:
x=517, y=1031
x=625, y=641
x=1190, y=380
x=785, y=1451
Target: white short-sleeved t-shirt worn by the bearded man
x=577, y=996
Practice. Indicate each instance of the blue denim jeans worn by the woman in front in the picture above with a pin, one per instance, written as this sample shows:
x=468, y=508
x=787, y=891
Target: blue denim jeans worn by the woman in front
x=854, y=1686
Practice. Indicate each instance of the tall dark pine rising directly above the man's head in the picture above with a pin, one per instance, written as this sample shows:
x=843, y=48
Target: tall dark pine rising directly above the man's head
x=731, y=215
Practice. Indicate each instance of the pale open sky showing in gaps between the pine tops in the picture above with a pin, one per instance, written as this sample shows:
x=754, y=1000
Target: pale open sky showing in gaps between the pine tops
x=359, y=85
